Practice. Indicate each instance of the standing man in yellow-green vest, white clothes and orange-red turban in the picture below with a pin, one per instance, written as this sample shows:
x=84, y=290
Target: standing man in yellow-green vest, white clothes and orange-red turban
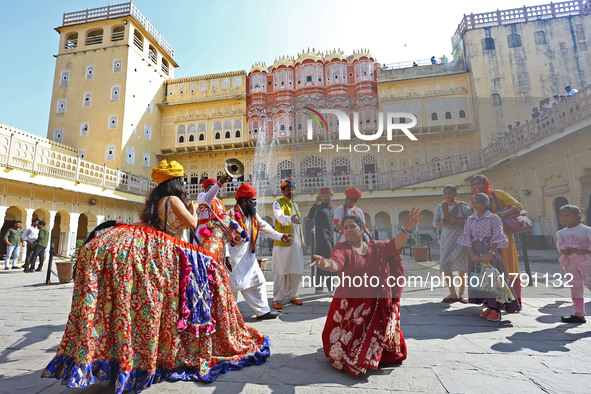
x=288, y=260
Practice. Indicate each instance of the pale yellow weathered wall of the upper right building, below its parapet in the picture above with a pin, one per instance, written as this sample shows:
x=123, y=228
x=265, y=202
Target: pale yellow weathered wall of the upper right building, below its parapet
x=524, y=75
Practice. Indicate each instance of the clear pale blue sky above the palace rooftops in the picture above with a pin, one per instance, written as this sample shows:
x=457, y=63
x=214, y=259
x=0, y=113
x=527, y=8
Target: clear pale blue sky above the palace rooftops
x=224, y=35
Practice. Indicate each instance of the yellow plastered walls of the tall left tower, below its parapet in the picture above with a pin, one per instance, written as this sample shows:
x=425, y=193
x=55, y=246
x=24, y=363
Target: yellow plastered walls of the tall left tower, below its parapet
x=140, y=83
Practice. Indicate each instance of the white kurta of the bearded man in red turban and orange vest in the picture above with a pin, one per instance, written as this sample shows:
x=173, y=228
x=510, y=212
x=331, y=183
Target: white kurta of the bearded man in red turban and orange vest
x=246, y=272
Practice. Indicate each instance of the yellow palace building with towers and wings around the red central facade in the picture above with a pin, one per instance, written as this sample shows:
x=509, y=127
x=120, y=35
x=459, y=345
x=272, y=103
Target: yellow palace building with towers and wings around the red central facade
x=117, y=109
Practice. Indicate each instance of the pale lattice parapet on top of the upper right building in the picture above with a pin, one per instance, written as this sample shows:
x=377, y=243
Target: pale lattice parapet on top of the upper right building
x=521, y=14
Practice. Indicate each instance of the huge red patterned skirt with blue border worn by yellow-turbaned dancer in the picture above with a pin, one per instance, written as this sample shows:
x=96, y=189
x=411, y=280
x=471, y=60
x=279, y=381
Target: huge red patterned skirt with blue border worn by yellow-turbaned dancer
x=148, y=307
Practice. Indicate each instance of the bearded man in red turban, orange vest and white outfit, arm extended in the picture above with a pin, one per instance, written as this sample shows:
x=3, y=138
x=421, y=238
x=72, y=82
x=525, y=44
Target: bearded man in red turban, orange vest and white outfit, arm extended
x=246, y=276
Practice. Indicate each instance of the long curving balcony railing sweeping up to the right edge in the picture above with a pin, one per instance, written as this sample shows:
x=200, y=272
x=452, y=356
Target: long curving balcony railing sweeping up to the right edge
x=563, y=115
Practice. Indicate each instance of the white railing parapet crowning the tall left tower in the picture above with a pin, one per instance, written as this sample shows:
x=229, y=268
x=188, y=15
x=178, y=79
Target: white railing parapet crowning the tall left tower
x=117, y=11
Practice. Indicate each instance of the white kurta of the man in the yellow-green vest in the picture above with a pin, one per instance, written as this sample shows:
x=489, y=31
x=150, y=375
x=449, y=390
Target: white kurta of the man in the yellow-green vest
x=288, y=259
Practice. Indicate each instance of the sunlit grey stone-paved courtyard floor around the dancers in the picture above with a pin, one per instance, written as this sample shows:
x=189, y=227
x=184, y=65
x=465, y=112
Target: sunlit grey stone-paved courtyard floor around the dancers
x=450, y=348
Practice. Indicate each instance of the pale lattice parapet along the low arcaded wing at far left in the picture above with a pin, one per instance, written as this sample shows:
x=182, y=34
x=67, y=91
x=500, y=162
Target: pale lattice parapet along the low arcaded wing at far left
x=28, y=152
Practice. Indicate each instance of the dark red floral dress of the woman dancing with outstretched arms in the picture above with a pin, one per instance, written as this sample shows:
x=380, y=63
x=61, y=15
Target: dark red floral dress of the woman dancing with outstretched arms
x=362, y=329
